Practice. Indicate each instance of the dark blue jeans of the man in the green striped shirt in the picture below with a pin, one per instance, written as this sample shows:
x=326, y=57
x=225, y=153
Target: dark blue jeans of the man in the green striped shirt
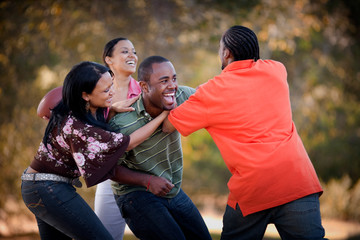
x=151, y=217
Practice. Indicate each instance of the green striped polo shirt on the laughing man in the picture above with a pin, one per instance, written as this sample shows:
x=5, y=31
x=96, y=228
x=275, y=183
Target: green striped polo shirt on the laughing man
x=159, y=155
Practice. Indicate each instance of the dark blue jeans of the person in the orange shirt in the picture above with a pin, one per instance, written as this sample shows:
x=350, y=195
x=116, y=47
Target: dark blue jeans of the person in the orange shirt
x=299, y=219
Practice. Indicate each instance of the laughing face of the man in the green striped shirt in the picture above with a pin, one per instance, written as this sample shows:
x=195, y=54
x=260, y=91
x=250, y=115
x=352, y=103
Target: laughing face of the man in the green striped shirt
x=159, y=92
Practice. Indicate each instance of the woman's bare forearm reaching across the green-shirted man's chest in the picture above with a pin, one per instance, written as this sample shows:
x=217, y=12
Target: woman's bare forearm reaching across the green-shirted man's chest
x=144, y=132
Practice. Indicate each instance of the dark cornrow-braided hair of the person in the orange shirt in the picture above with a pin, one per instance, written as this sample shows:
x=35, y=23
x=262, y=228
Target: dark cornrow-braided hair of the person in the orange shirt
x=242, y=43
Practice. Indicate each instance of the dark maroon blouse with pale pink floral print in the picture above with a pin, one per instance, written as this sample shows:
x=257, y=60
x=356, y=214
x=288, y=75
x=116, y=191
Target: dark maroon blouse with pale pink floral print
x=81, y=149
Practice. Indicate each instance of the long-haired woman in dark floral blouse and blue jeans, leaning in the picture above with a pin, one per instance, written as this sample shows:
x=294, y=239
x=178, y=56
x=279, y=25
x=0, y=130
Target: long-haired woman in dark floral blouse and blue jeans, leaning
x=78, y=142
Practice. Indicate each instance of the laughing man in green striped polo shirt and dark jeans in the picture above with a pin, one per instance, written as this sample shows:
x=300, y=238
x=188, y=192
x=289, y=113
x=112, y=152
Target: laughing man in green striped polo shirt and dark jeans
x=170, y=215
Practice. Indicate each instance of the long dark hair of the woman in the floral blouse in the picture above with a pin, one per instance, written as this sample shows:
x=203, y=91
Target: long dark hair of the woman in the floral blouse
x=83, y=77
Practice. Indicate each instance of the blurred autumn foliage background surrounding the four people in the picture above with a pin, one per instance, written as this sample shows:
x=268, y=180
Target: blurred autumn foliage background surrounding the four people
x=317, y=40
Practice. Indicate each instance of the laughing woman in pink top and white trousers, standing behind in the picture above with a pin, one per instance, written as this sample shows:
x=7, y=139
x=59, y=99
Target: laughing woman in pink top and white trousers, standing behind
x=120, y=56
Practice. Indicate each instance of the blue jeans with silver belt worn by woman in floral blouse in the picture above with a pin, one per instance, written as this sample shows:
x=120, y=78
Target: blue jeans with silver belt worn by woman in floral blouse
x=60, y=212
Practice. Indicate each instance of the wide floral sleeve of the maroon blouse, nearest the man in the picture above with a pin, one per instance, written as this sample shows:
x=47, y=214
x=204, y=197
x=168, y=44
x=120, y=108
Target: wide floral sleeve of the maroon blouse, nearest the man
x=95, y=151
